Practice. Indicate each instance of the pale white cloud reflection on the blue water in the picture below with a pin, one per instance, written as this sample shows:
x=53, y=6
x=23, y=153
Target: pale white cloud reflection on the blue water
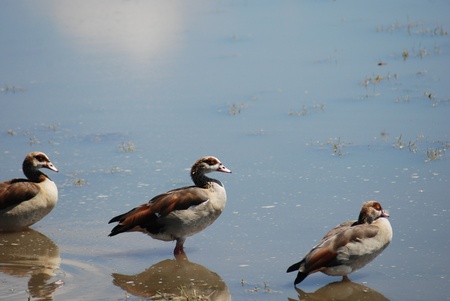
x=140, y=30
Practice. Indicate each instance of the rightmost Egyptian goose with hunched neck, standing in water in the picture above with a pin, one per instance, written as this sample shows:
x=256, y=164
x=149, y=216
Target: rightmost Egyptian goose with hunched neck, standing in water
x=349, y=246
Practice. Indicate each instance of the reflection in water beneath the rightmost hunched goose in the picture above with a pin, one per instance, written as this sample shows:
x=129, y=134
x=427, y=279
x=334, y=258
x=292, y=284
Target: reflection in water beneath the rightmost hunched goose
x=342, y=290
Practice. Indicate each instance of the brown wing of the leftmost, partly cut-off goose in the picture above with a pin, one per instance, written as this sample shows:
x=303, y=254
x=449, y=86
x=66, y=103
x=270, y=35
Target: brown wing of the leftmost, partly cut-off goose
x=16, y=191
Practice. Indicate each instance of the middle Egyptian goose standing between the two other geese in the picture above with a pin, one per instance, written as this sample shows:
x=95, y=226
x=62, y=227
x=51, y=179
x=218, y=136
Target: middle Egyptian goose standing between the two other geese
x=181, y=212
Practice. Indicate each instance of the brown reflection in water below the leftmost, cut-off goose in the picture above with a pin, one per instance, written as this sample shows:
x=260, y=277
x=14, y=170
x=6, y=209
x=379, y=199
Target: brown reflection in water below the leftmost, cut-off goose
x=29, y=253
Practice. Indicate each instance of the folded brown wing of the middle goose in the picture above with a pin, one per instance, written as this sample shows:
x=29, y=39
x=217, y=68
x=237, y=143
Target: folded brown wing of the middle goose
x=146, y=215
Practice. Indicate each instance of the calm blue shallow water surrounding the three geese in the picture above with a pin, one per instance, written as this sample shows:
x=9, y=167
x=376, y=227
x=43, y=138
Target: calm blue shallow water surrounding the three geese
x=313, y=105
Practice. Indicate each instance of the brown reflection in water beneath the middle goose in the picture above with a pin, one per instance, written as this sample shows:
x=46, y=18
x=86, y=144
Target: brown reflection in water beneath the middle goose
x=172, y=278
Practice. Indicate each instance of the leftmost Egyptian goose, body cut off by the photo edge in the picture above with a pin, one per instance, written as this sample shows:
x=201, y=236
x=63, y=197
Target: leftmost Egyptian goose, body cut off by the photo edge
x=24, y=202
